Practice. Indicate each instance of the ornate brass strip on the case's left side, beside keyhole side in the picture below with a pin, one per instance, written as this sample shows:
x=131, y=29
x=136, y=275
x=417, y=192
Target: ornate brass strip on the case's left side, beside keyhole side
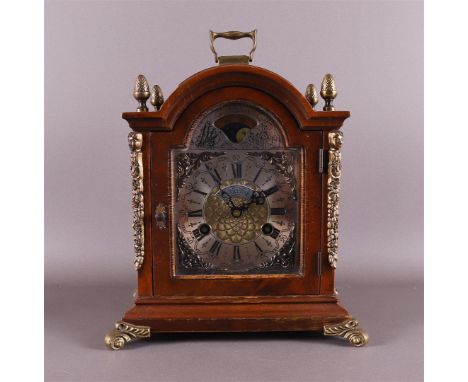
x=135, y=142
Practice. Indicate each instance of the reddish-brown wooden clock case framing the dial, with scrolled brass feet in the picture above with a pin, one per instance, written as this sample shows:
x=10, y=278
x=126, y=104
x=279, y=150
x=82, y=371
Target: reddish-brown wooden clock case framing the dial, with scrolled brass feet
x=167, y=303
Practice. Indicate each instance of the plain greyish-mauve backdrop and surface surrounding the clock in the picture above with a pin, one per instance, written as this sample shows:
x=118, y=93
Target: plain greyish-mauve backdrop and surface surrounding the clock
x=94, y=50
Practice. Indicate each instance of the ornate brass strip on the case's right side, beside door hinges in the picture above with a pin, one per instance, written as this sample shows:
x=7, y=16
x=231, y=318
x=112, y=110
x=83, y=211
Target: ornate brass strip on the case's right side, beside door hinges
x=335, y=139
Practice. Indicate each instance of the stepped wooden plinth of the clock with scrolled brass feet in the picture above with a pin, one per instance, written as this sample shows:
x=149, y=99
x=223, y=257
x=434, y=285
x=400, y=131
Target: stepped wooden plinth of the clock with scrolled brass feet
x=215, y=316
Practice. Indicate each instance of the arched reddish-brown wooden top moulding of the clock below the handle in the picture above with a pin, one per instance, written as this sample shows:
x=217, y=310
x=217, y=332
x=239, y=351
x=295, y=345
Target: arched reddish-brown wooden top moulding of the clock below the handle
x=246, y=76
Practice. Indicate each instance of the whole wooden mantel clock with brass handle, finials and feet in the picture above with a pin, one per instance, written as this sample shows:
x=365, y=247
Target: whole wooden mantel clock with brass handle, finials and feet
x=236, y=183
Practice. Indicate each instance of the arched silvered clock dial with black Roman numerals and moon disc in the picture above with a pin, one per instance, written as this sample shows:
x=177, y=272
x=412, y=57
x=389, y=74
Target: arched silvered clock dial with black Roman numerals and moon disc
x=236, y=196
